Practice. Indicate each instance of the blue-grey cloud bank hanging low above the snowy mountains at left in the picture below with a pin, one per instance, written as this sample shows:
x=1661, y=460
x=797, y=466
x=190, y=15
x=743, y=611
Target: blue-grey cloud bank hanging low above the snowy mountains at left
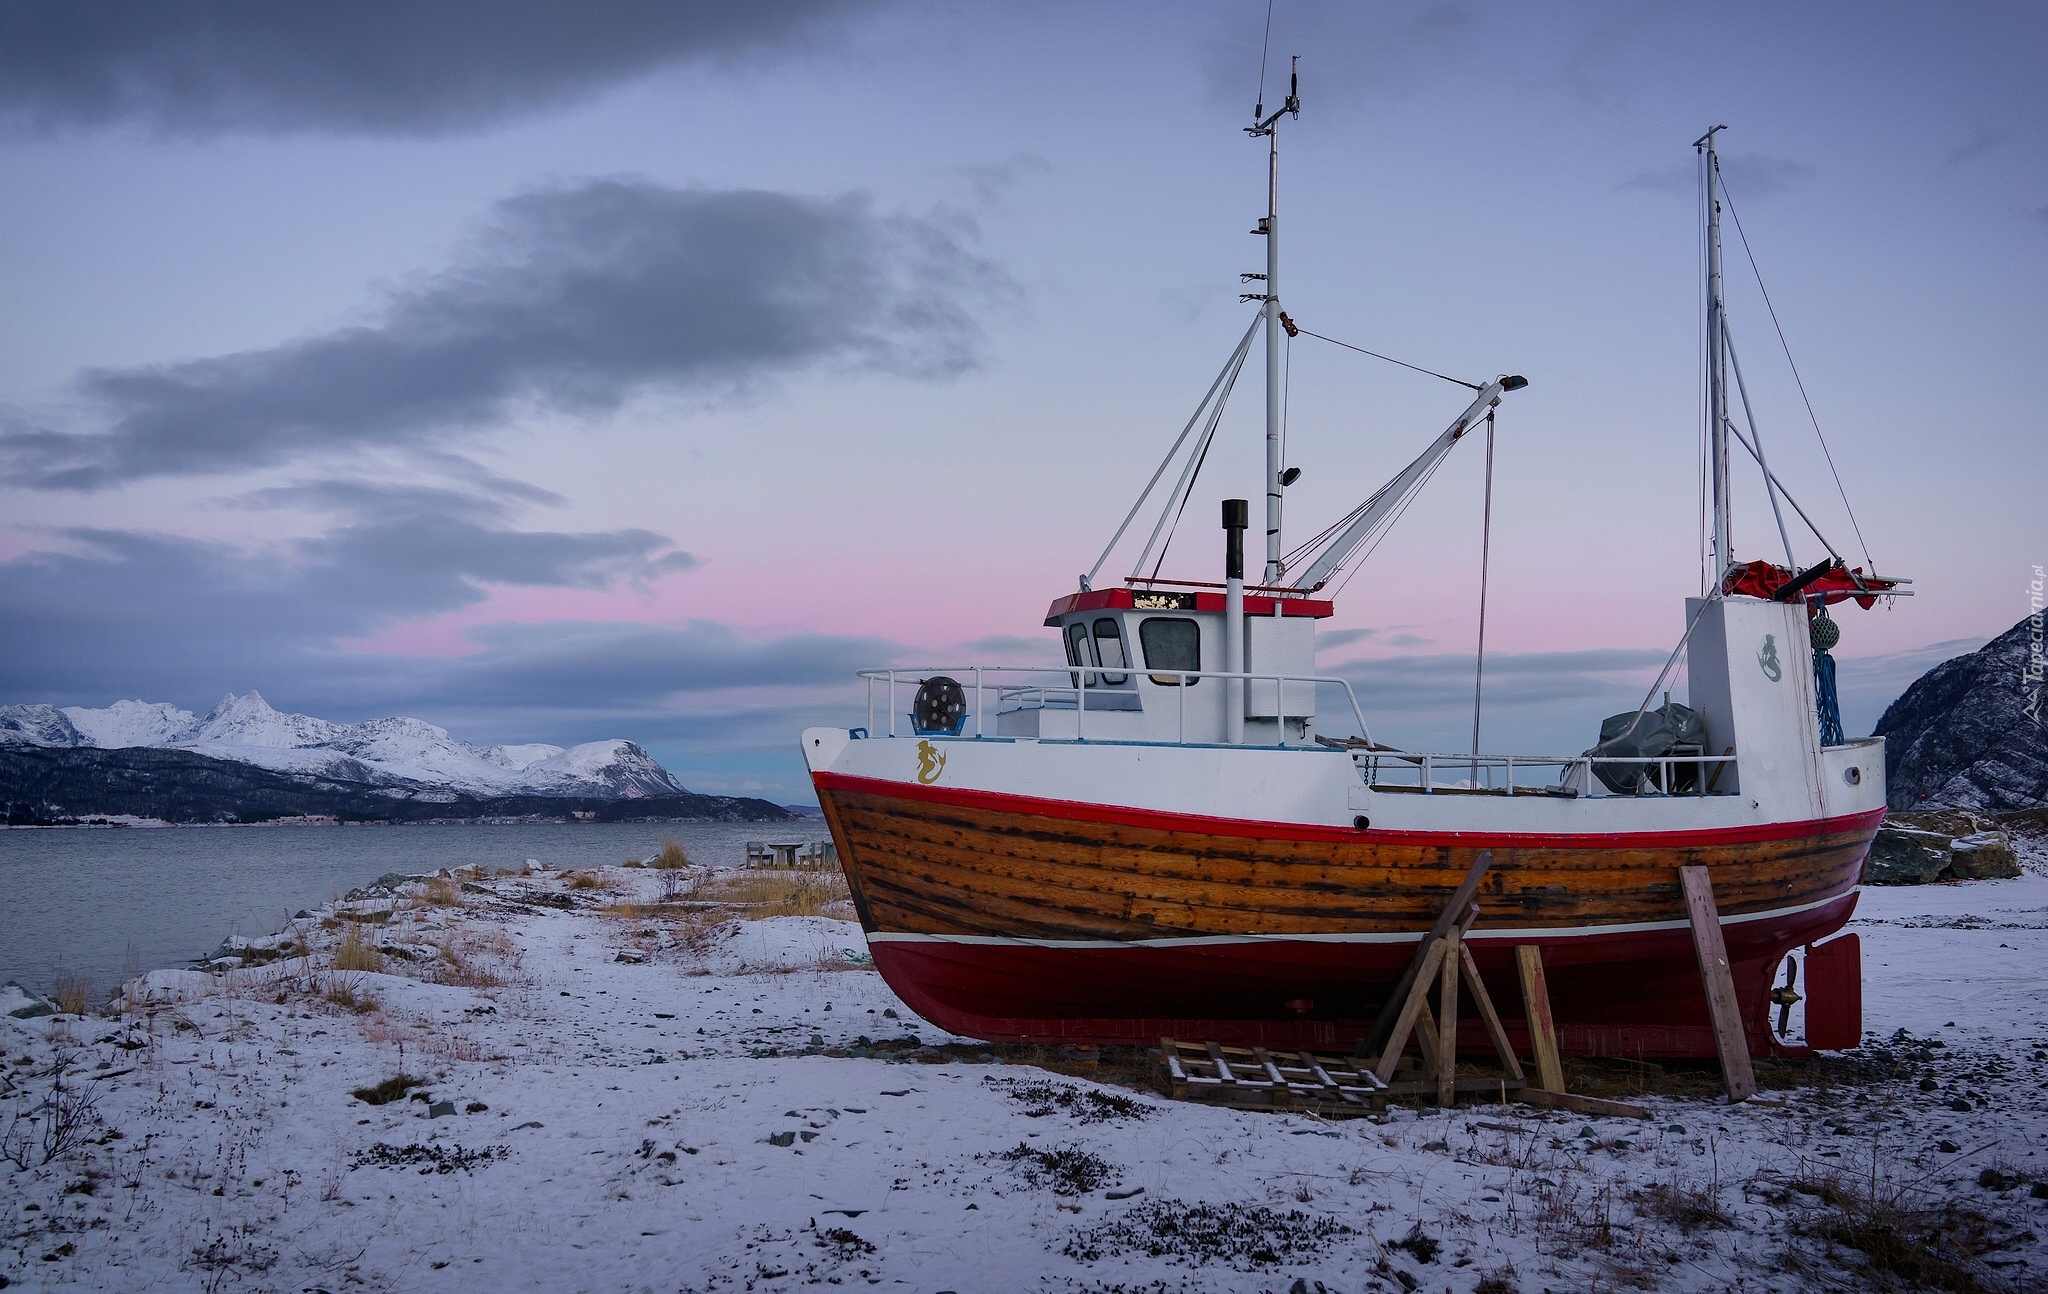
x=120, y=613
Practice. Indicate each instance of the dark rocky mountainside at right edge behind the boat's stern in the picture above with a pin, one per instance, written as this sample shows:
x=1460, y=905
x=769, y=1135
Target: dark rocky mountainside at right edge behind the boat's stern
x=1971, y=732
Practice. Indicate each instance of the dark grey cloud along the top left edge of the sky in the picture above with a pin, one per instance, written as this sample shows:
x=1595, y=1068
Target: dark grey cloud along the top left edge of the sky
x=366, y=67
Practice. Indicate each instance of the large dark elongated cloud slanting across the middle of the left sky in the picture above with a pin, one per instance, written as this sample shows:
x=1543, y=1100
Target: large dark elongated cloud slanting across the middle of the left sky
x=574, y=300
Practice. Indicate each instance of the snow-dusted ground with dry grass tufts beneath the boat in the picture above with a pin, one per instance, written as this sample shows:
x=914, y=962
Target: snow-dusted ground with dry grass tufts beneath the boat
x=671, y=1098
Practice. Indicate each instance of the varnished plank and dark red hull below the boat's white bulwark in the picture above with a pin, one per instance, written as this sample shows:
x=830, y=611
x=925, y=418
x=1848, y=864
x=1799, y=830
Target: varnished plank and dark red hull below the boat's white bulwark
x=1050, y=920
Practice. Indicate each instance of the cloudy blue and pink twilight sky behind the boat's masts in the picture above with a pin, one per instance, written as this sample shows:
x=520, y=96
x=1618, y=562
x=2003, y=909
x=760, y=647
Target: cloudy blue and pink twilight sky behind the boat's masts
x=640, y=370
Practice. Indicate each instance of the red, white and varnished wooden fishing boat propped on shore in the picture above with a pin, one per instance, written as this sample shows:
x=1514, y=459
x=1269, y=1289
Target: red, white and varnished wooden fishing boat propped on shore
x=1189, y=832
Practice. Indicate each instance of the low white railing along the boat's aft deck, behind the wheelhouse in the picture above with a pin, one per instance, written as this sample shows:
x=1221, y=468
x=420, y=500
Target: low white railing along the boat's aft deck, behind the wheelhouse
x=1431, y=773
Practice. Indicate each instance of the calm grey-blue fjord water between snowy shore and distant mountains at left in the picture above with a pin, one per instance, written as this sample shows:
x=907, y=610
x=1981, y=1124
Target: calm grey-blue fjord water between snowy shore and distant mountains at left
x=77, y=898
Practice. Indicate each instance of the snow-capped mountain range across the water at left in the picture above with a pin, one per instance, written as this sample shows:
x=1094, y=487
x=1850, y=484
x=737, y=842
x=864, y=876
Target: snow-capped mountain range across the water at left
x=398, y=752
